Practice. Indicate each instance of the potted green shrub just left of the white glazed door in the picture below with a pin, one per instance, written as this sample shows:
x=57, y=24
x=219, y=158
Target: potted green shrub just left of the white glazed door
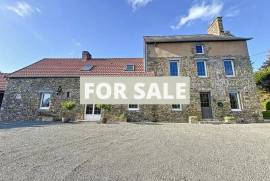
x=67, y=111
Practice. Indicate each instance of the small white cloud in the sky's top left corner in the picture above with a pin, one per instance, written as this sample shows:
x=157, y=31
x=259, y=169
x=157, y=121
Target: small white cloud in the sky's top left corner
x=22, y=9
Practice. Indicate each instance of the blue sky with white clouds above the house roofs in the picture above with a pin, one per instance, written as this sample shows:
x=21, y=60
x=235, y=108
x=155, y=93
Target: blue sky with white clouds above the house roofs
x=34, y=29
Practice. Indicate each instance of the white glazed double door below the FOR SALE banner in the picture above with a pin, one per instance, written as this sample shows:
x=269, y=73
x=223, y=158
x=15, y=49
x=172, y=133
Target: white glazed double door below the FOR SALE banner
x=92, y=113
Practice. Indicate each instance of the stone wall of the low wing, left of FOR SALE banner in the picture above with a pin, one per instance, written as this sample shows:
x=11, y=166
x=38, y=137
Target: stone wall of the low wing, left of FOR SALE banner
x=22, y=98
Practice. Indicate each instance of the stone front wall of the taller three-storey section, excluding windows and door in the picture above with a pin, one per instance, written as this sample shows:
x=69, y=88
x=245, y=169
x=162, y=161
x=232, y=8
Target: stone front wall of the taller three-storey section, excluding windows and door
x=158, y=56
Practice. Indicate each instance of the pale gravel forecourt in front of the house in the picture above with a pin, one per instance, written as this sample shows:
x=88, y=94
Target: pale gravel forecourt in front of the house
x=129, y=151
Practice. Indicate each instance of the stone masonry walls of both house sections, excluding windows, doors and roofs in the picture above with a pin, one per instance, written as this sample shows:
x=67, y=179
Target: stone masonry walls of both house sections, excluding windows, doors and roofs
x=23, y=94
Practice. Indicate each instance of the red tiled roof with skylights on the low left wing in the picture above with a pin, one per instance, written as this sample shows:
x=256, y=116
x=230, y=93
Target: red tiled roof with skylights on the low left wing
x=66, y=67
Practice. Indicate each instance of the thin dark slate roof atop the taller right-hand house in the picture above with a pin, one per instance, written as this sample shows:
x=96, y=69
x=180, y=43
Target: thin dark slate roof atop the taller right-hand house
x=193, y=38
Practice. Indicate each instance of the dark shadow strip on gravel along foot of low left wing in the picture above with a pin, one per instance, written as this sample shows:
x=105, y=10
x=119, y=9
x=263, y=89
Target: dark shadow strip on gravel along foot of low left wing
x=20, y=124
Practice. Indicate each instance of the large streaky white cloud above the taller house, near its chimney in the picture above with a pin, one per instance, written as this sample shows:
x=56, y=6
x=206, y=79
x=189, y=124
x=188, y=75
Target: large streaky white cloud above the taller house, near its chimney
x=200, y=11
